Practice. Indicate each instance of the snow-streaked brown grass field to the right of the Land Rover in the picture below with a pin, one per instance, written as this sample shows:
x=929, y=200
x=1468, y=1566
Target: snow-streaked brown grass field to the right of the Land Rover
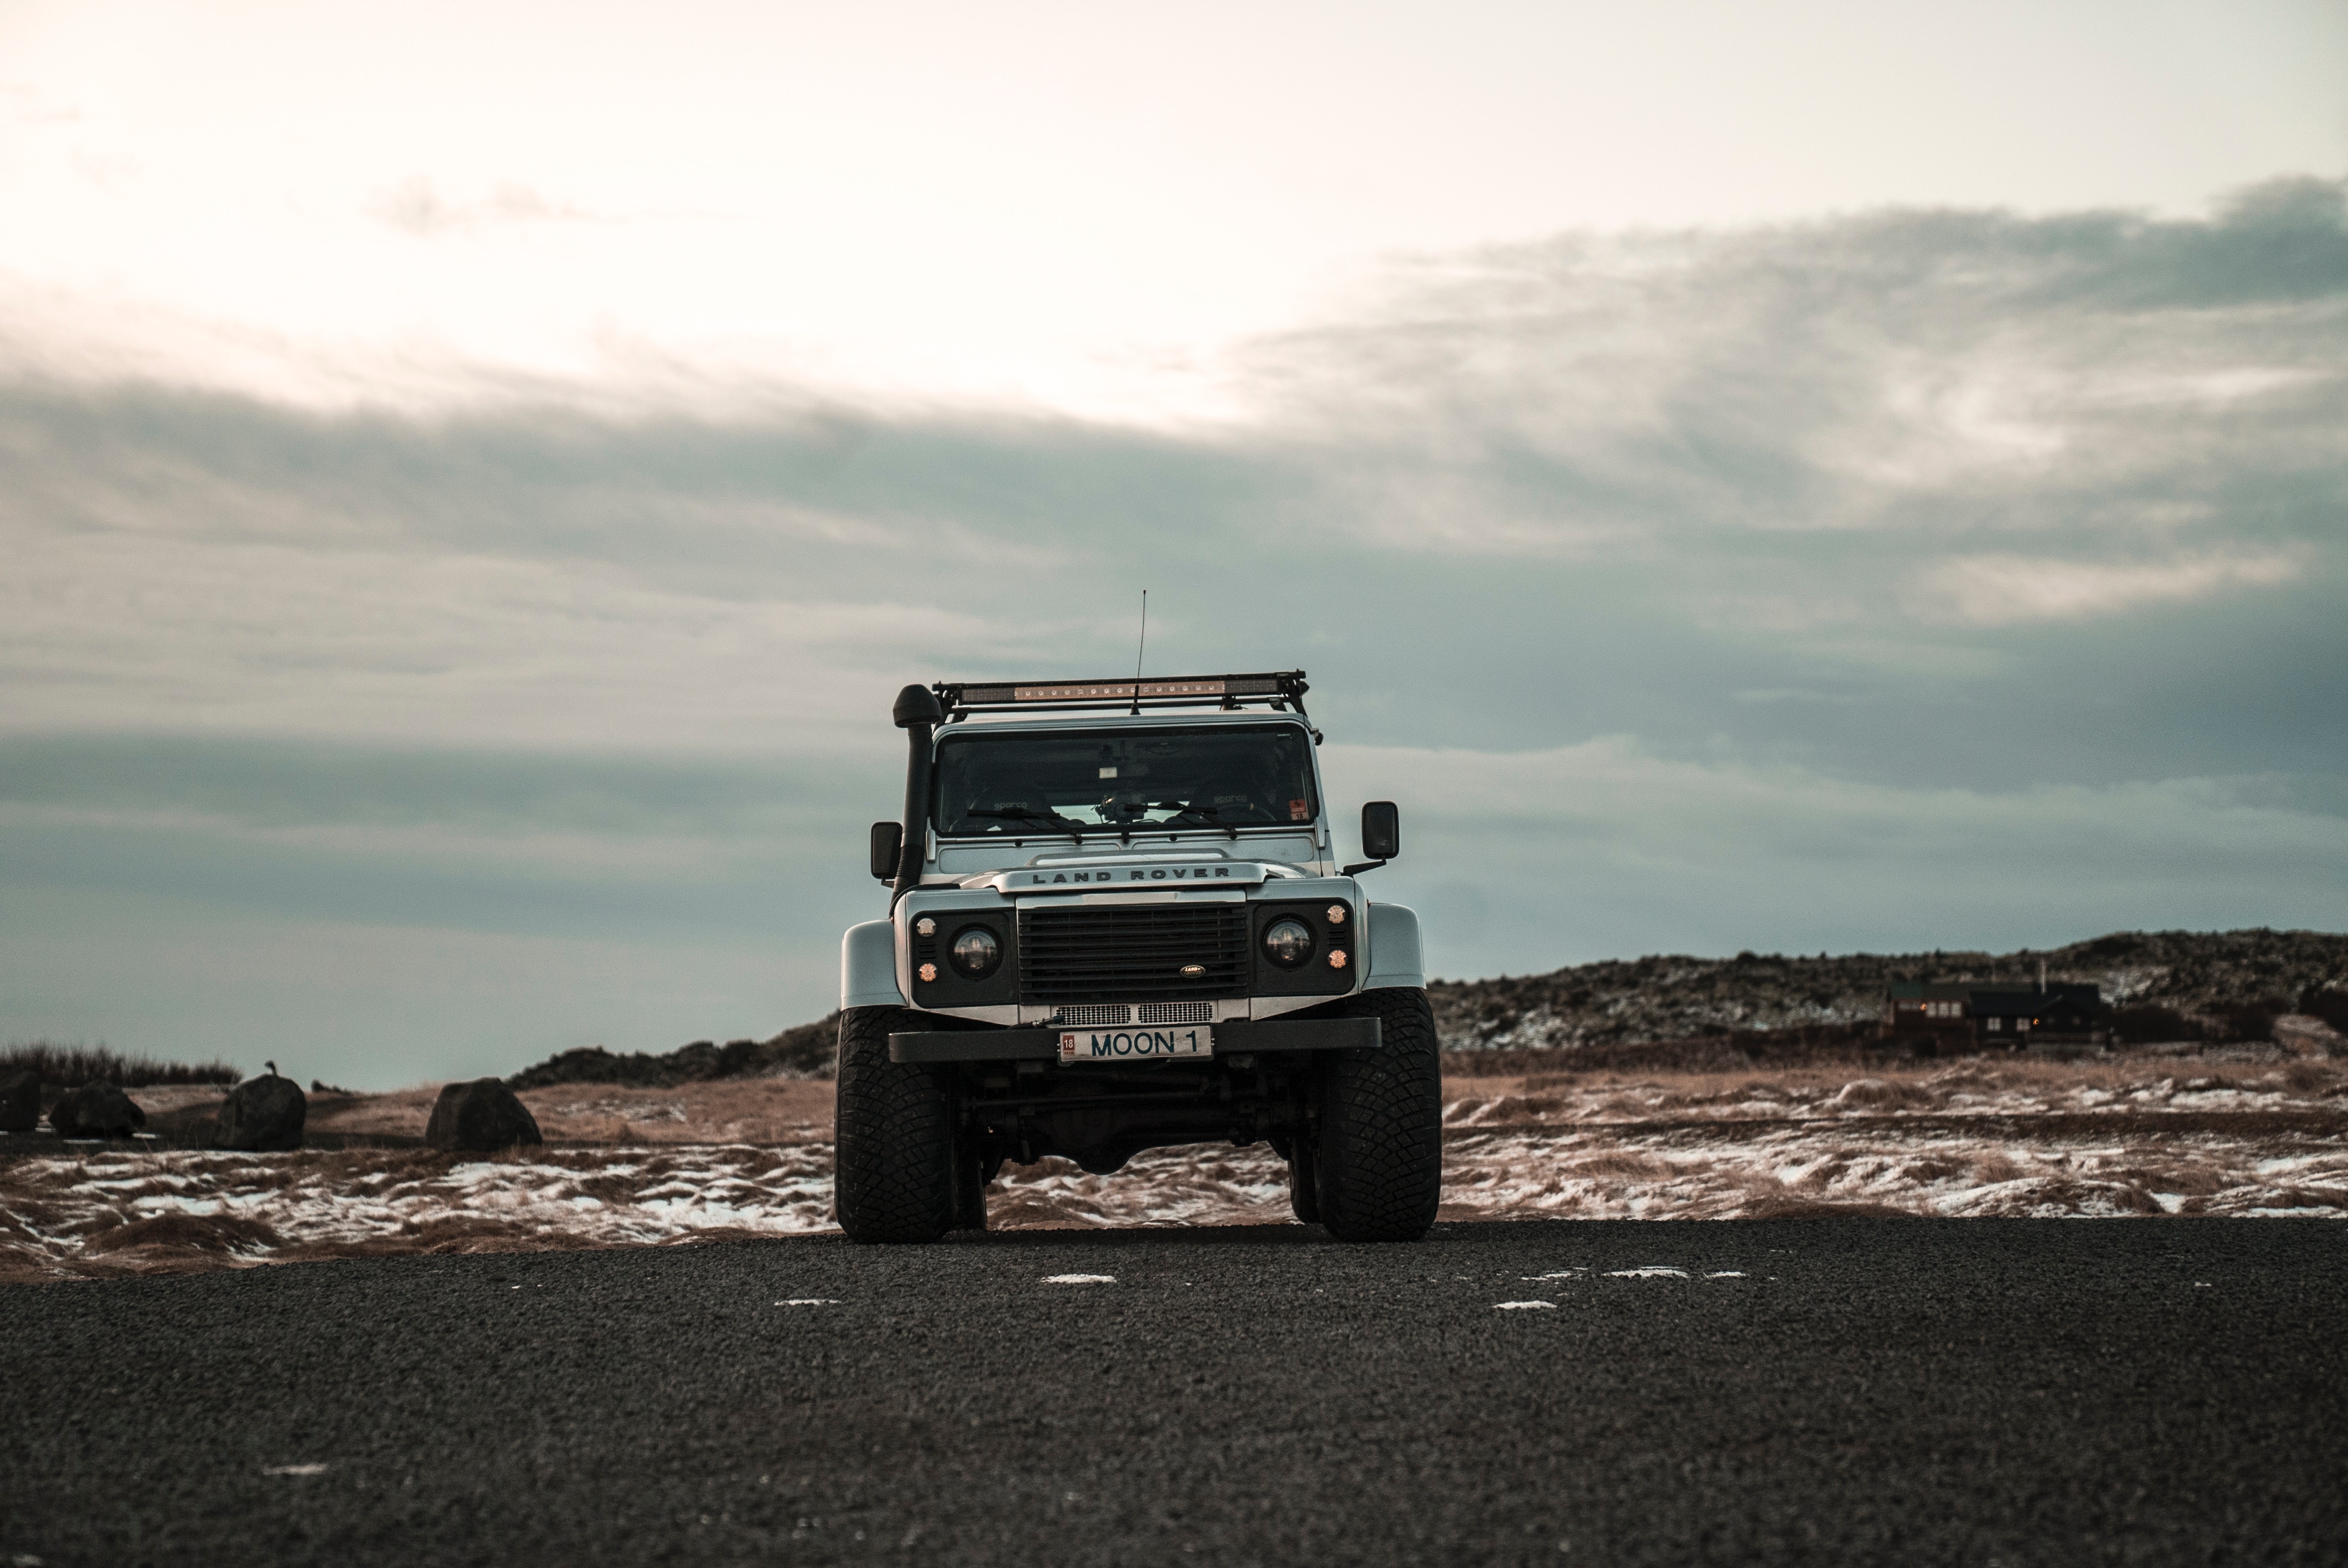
x=1964, y=1140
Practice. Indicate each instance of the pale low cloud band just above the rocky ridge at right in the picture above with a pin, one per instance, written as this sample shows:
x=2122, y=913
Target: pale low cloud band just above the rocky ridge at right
x=1607, y=849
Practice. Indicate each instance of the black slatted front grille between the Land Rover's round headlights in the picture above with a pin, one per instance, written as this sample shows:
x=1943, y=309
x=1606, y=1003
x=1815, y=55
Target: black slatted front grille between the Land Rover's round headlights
x=1114, y=954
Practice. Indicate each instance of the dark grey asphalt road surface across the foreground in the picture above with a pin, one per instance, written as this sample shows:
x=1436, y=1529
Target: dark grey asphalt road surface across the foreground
x=1811, y=1391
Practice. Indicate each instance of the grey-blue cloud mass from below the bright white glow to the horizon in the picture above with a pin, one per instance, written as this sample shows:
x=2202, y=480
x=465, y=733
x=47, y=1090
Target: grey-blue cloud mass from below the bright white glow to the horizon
x=1882, y=581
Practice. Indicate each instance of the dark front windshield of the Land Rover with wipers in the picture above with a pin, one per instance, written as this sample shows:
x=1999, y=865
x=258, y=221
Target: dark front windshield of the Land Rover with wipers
x=1084, y=780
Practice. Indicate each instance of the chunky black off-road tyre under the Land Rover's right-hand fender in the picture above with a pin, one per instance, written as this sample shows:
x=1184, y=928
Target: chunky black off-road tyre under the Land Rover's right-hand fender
x=1379, y=1163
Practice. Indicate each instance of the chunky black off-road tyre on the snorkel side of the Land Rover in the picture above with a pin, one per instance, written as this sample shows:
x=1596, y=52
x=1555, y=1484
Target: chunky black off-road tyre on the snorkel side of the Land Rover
x=893, y=1137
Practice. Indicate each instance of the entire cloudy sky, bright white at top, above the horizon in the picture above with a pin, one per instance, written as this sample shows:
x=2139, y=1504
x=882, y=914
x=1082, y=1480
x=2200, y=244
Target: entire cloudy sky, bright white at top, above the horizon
x=1826, y=478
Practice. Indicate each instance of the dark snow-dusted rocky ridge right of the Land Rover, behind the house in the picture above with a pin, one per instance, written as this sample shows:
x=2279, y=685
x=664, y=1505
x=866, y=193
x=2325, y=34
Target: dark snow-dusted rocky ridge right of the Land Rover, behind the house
x=2159, y=985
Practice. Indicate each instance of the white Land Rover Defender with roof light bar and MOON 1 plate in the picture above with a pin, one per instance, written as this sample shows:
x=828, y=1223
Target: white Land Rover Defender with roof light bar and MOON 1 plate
x=1121, y=926
